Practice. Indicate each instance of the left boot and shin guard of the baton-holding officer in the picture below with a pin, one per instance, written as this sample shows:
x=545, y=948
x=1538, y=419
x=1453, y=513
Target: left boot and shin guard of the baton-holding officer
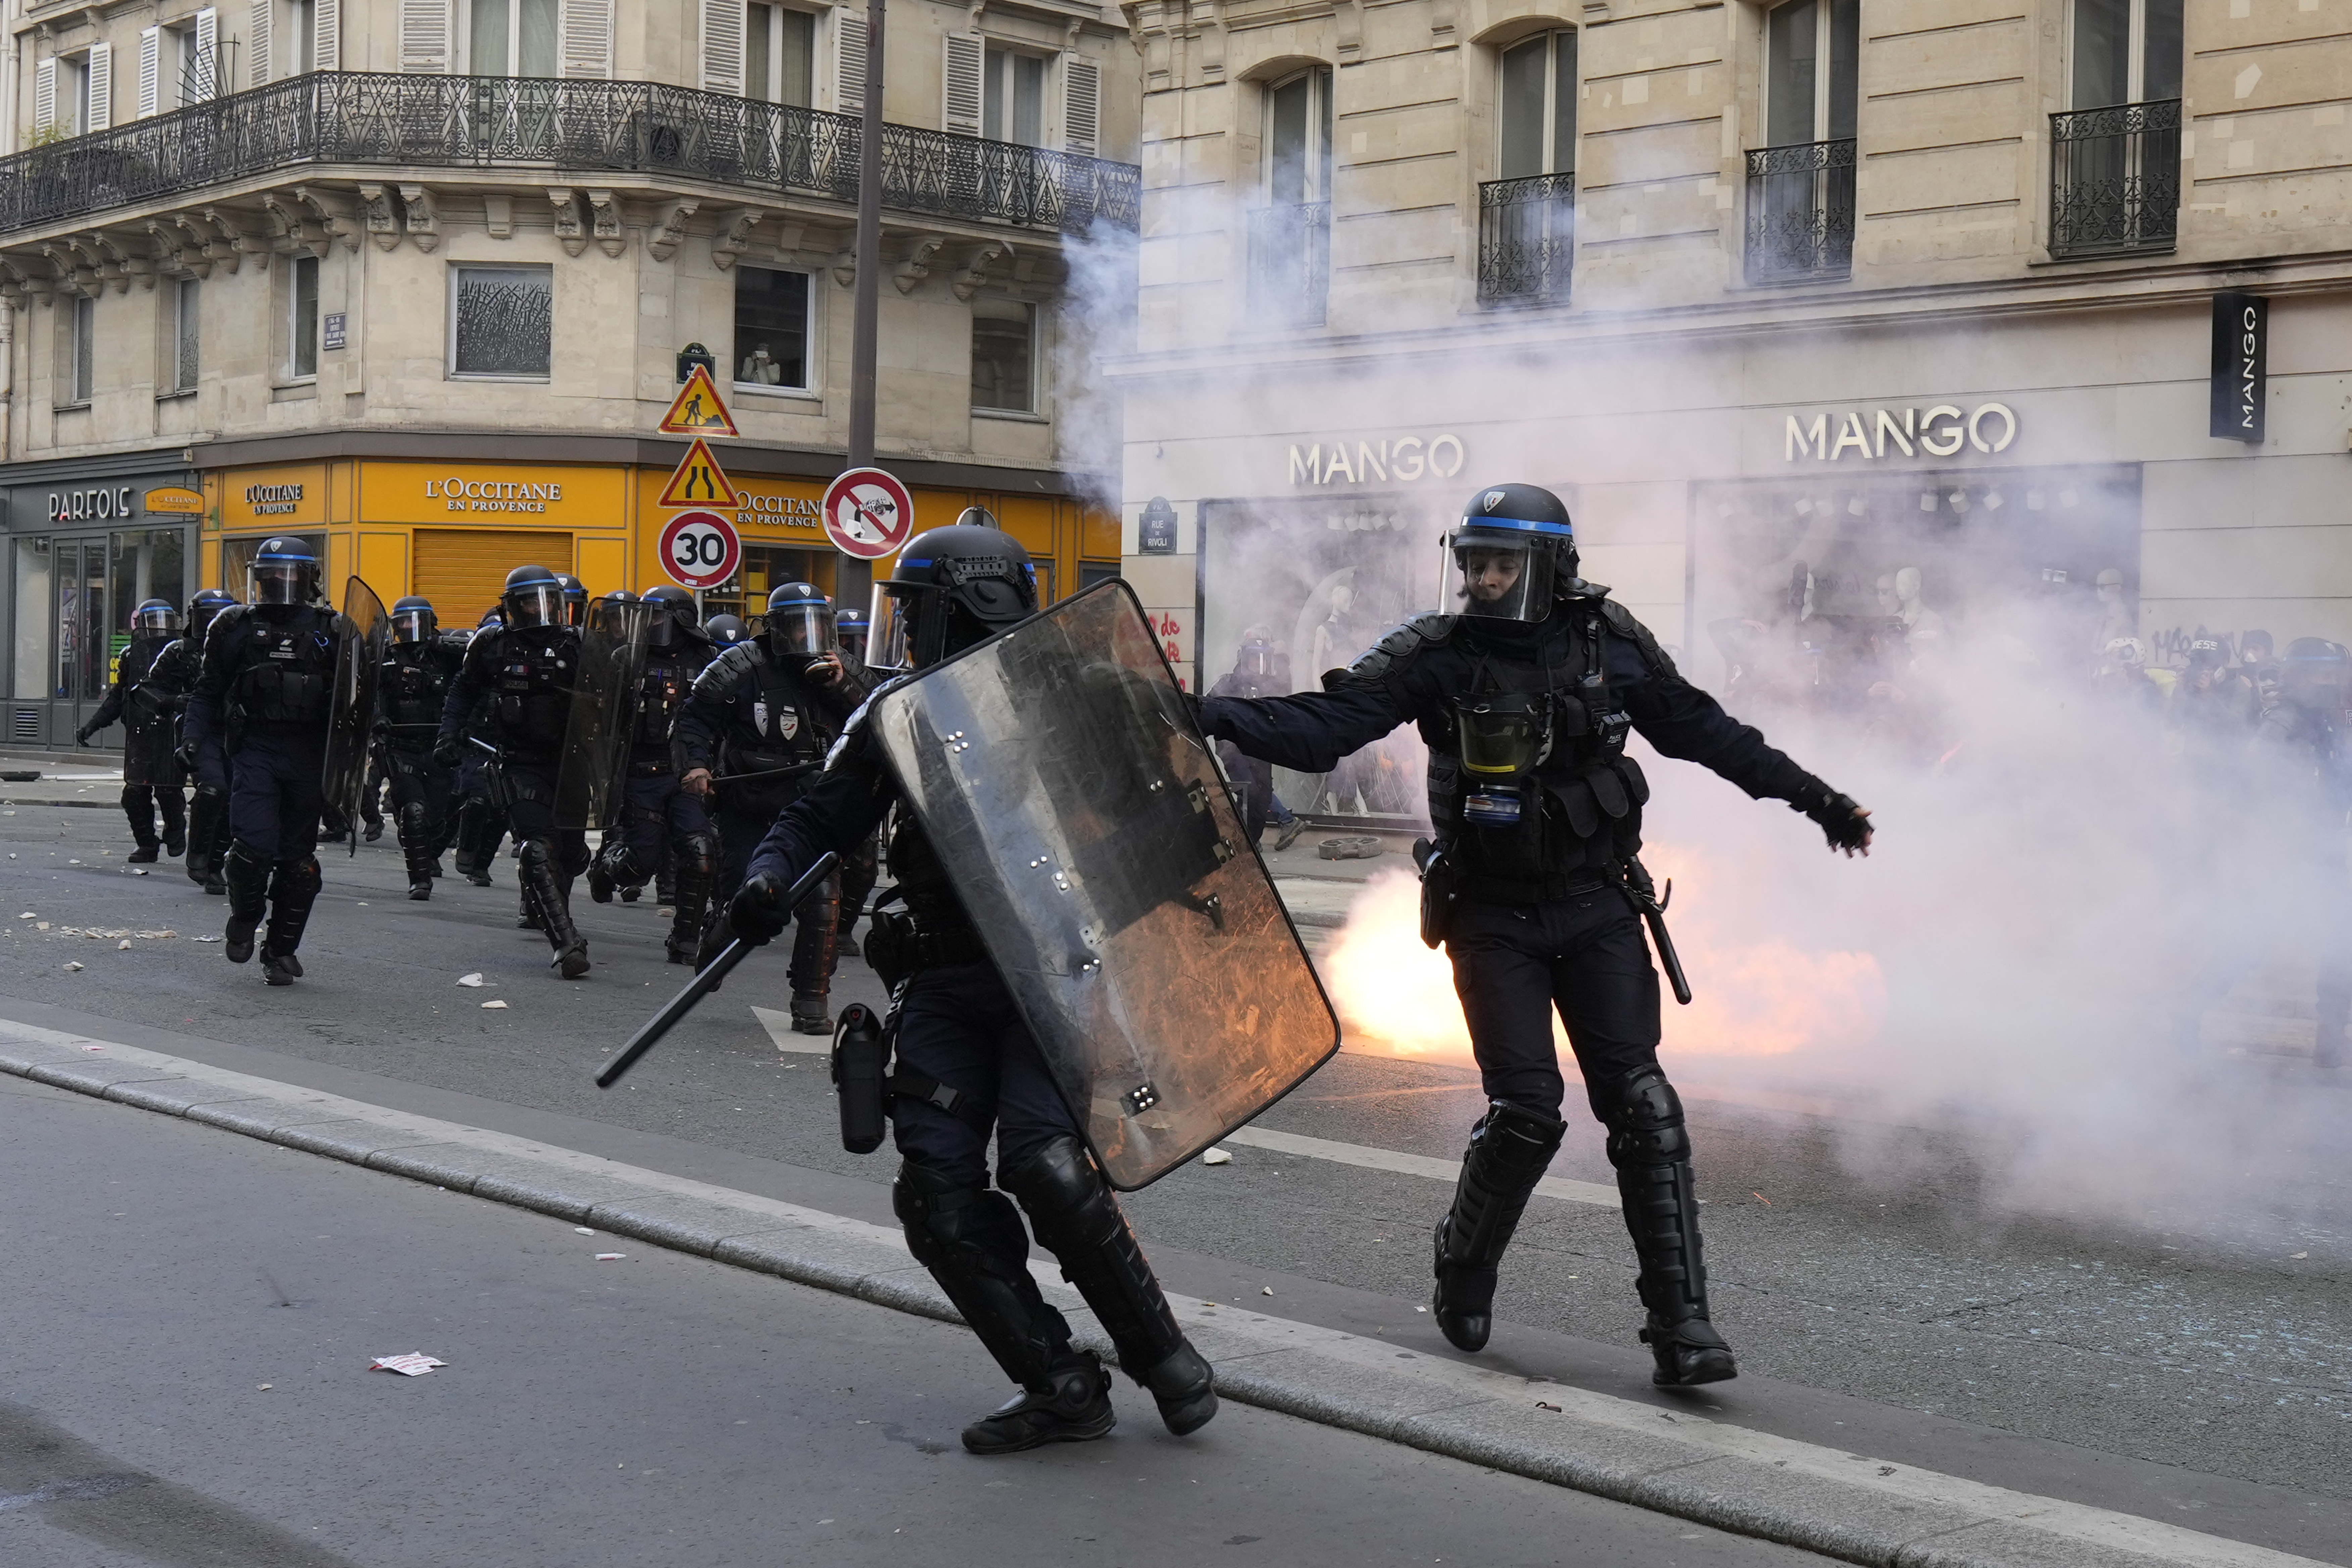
x=973, y=1245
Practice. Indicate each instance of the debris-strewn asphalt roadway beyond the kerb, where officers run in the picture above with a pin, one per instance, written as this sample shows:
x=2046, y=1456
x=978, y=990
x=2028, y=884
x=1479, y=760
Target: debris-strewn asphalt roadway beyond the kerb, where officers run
x=2205, y=1353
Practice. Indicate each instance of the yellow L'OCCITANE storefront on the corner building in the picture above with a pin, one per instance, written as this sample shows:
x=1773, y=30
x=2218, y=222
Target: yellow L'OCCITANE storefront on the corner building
x=453, y=532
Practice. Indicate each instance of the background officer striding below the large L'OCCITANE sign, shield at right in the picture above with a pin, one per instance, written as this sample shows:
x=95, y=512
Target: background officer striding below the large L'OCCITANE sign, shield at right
x=523, y=676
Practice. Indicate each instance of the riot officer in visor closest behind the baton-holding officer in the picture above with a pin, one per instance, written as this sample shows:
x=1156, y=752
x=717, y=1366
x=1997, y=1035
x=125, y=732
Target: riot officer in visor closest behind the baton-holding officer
x=751, y=735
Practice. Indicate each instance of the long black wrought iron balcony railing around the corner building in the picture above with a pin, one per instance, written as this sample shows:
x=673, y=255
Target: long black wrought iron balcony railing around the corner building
x=566, y=130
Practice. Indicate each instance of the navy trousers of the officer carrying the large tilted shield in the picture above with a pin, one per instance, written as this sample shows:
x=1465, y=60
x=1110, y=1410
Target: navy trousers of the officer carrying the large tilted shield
x=961, y=1026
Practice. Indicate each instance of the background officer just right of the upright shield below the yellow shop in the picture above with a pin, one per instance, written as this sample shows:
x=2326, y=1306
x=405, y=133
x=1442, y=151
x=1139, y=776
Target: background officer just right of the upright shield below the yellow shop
x=657, y=815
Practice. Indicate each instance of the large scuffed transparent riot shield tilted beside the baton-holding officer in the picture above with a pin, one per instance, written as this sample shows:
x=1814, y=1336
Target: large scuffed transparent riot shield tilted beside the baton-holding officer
x=1081, y=815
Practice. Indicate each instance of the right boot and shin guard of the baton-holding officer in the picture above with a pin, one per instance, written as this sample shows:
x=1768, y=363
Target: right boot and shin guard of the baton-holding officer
x=1081, y=1224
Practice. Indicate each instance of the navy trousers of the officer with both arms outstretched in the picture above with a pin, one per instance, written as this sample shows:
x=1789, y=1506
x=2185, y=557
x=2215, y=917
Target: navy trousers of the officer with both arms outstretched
x=1586, y=958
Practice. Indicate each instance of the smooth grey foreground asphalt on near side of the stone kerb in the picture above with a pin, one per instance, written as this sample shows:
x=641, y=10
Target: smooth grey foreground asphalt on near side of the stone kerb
x=192, y=1320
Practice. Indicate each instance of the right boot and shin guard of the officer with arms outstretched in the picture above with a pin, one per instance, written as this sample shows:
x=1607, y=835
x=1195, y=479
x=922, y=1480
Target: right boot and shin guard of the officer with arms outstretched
x=1652, y=1155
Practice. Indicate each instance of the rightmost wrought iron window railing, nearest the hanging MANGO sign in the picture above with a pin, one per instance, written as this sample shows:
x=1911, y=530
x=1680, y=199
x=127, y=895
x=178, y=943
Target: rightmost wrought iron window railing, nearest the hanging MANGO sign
x=2116, y=180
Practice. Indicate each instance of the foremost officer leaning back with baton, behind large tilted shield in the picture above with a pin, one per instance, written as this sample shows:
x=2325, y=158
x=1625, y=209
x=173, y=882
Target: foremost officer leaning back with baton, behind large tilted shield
x=968, y=1064
